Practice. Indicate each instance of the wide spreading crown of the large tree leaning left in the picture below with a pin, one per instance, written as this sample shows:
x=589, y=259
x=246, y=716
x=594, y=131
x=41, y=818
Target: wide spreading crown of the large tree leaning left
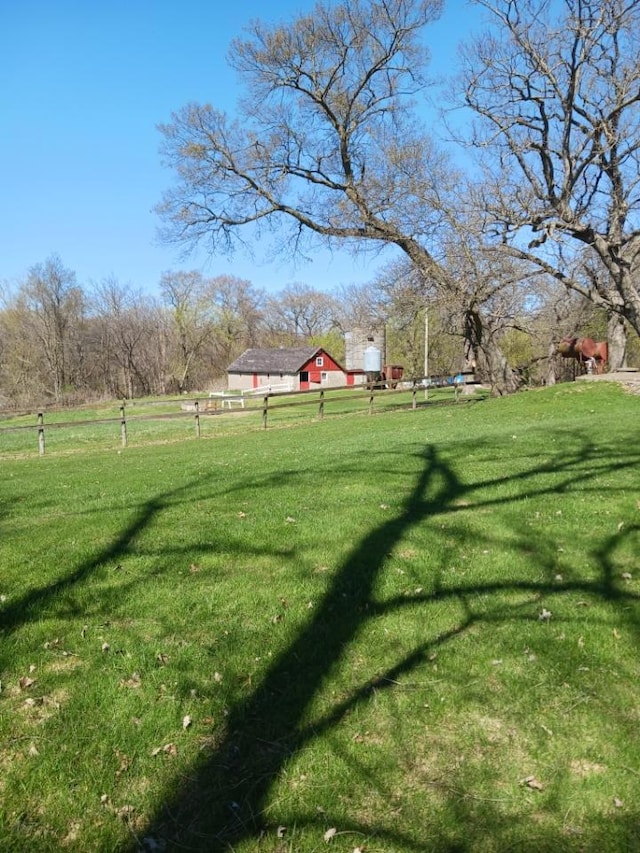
x=326, y=146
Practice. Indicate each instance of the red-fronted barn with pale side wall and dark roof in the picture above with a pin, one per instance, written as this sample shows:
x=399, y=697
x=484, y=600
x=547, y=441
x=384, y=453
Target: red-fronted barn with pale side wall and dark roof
x=285, y=369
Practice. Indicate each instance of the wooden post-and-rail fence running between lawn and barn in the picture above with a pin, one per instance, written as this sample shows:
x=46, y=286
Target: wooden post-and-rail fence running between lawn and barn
x=269, y=406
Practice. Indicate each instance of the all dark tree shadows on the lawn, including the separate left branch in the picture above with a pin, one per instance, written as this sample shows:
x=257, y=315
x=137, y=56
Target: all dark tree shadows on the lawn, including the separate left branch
x=223, y=804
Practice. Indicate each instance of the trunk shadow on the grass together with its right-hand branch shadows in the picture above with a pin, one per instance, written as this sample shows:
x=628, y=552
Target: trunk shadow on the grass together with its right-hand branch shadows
x=224, y=802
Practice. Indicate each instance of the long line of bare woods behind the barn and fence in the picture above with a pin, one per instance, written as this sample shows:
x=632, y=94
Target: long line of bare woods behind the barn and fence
x=62, y=342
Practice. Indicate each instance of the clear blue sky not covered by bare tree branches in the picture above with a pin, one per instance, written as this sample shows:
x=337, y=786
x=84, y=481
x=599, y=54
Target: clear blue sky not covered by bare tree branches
x=83, y=86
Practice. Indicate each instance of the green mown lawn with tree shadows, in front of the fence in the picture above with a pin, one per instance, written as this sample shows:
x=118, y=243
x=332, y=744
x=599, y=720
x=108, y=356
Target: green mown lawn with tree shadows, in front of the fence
x=415, y=631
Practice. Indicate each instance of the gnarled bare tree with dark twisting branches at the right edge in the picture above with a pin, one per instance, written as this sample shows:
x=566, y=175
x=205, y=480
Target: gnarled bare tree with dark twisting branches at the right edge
x=558, y=99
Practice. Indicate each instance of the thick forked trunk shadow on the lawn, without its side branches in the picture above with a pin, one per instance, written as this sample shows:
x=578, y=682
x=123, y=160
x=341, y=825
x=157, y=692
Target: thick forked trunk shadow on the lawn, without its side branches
x=224, y=803
